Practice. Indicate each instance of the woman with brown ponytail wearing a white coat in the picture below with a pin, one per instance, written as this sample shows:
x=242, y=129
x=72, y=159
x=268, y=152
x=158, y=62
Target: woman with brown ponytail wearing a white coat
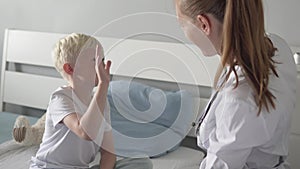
x=246, y=123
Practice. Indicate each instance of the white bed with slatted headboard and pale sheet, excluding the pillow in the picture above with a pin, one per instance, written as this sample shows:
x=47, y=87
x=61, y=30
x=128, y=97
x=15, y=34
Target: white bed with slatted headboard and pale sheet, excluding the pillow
x=27, y=70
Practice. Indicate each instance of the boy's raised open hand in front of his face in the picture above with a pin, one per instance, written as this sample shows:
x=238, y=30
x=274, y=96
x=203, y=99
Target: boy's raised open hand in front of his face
x=102, y=69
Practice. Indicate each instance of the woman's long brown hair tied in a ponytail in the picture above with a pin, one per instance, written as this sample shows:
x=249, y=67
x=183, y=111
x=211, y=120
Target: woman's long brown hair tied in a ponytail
x=244, y=41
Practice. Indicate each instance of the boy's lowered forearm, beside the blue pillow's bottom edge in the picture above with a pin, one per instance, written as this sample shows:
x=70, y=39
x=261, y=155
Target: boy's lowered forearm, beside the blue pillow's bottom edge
x=108, y=157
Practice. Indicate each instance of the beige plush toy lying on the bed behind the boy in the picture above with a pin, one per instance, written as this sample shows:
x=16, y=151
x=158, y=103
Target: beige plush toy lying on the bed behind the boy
x=27, y=135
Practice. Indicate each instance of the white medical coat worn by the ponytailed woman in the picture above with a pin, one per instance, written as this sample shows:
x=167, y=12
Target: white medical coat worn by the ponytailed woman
x=234, y=136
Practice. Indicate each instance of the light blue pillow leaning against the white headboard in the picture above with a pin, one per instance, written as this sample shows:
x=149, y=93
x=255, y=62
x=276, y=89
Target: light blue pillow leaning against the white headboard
x=148, y=121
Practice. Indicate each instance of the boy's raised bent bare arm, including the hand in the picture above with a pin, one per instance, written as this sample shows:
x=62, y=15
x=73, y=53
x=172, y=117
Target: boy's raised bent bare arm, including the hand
x=87, y=126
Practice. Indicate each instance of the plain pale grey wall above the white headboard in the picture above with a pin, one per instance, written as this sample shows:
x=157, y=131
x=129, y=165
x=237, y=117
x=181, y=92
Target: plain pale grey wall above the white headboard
x=65, y=16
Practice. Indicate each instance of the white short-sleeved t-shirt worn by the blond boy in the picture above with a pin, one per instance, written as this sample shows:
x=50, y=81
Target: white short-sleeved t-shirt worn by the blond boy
x=61, y=148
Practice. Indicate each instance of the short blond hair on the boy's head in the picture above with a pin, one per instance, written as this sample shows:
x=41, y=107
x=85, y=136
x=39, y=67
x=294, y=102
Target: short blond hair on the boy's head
x=69, y=48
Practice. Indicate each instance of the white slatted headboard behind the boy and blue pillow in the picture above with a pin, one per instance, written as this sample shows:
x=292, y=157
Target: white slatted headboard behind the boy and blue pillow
x=28, y=76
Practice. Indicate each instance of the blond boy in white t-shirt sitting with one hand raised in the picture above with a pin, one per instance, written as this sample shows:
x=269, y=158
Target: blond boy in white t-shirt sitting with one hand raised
x=77, y=121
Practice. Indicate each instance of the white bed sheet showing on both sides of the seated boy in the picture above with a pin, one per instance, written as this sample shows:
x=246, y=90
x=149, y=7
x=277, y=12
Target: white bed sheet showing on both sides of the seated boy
x=13, y=155
